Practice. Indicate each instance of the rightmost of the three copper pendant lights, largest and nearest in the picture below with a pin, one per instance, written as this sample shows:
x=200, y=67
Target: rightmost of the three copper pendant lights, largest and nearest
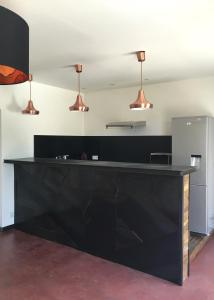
x=141, y=103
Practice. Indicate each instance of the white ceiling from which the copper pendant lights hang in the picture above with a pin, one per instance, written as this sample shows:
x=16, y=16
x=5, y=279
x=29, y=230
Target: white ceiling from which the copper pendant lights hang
x=177, y=36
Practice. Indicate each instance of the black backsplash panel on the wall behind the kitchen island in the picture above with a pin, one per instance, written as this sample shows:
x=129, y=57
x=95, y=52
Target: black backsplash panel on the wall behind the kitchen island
x=109, y=148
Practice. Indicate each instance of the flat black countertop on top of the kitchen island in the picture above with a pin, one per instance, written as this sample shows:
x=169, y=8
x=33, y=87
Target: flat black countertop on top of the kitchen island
x=133, y=167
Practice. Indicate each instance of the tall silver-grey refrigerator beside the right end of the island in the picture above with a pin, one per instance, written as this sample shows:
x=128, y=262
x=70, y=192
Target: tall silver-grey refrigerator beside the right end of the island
x=193, y=144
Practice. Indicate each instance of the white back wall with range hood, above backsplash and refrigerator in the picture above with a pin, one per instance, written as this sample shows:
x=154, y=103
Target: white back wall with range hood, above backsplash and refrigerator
x=178, y=98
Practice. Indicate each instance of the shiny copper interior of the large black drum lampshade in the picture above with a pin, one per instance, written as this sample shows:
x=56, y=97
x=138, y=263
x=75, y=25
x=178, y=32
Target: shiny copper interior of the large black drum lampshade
x=10, y=75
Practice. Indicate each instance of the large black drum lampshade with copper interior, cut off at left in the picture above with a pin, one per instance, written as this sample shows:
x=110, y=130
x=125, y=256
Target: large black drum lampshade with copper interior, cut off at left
x=14, y=48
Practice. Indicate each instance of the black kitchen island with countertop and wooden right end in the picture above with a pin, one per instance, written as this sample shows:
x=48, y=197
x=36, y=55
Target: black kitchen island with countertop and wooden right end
x=132, y=214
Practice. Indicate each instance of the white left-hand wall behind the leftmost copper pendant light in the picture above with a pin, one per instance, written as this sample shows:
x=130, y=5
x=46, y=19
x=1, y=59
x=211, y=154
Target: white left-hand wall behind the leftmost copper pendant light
x=17, y=130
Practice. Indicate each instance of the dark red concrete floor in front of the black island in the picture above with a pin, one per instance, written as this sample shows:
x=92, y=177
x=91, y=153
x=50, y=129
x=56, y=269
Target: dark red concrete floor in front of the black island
x=35, y=269
